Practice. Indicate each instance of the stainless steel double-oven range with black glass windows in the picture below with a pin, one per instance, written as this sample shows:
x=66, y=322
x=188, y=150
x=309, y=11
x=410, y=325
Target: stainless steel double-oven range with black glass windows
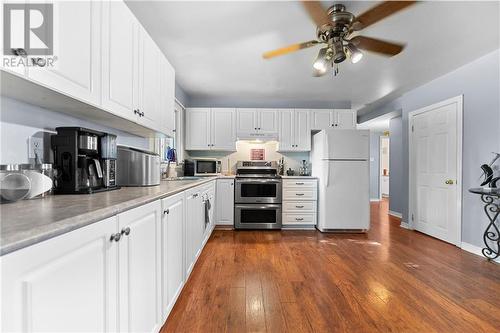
x=257, y=195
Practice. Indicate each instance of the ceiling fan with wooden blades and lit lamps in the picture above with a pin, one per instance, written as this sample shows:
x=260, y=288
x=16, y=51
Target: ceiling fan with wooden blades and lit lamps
x=334, y=29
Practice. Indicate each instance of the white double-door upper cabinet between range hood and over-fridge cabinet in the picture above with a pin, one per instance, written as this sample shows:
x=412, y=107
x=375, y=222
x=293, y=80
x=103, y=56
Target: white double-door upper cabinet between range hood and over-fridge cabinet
x=295, y=130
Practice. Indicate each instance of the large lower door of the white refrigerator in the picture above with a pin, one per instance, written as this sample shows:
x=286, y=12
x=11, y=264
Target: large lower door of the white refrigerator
x=344, y=196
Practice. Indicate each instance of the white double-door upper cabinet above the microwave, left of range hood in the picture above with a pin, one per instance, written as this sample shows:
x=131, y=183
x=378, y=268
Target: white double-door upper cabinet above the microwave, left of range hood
x=210, y=129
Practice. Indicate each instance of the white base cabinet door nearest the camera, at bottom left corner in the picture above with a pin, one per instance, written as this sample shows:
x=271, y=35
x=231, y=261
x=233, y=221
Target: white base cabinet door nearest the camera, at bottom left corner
x=64, y=284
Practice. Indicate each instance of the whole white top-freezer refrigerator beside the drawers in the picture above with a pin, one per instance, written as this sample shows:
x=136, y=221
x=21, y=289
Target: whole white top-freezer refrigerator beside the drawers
x=341, y=161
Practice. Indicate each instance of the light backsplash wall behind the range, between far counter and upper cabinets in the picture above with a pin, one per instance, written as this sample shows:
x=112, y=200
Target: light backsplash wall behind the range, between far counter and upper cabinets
x=229, y=159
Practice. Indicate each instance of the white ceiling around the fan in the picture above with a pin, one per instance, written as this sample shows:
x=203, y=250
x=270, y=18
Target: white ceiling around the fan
x=216, y=49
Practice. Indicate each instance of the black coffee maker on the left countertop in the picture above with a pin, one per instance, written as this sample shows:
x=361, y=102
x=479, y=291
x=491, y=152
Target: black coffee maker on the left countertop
x=84, y=160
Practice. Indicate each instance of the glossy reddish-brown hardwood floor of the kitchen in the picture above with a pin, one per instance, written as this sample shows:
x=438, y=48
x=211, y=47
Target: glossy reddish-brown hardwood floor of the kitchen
x=388, y=280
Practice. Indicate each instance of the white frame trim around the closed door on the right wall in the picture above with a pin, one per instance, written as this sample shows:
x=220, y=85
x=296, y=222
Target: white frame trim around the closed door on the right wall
x=411, y=176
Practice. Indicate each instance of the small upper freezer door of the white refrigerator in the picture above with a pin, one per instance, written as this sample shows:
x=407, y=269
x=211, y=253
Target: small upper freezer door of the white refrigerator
x=347, y=144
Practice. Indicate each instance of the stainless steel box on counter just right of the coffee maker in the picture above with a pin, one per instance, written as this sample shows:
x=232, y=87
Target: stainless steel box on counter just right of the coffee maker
x=137, y=167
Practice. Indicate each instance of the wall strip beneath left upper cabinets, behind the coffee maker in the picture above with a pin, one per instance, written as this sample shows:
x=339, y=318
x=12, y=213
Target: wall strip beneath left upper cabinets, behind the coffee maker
x=19, y=121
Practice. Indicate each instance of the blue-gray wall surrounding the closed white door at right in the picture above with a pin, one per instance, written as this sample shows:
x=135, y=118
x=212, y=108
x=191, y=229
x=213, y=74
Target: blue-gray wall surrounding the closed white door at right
x=479, y=83
